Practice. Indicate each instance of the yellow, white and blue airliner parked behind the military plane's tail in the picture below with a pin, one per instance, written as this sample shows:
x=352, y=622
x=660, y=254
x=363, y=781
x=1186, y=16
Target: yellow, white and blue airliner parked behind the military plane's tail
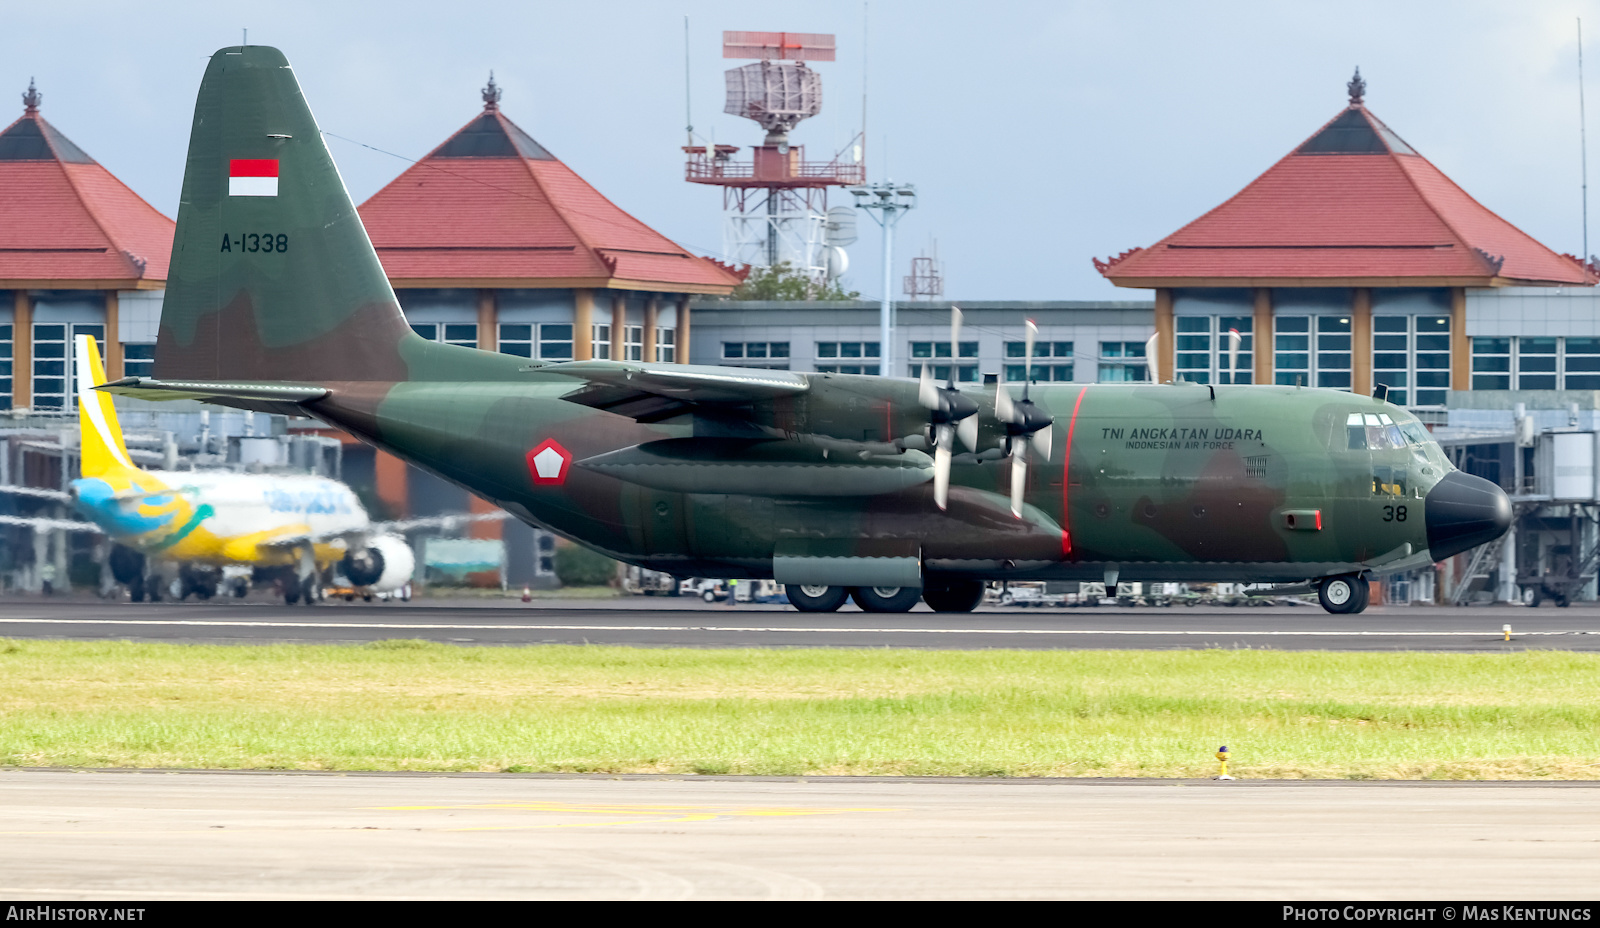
x=289, y=530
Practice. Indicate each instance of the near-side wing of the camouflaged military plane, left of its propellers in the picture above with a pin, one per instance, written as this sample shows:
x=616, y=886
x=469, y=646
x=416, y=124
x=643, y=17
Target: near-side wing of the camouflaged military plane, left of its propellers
x=654, y=391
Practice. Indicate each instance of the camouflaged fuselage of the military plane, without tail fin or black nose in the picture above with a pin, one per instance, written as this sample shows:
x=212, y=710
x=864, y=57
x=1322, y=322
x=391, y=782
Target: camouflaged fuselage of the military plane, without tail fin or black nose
x=1161, y=482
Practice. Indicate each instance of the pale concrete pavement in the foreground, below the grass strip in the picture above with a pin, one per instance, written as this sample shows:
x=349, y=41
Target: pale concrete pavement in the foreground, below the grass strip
x=252, y=836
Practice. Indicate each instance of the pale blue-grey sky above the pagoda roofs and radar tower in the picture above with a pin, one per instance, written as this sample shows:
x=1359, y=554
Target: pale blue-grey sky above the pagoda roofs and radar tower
x=1039, y=135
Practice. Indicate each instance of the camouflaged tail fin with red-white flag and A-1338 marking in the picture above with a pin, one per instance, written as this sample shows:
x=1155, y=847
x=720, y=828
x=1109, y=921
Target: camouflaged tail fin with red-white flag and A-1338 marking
x=273, y=276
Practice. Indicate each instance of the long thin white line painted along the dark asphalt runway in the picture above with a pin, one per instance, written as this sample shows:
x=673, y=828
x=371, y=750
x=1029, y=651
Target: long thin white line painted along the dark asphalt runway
x=772, y=630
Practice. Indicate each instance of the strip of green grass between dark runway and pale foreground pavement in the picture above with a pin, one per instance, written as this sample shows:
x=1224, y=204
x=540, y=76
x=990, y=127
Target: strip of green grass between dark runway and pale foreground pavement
x=423, y=706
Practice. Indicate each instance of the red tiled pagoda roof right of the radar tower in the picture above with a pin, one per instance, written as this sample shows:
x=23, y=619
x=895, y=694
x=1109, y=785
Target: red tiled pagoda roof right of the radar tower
x=1353, y=206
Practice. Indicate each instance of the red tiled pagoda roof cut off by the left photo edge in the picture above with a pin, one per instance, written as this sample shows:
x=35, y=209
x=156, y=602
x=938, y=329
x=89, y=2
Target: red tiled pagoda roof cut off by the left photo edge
x=68, y=223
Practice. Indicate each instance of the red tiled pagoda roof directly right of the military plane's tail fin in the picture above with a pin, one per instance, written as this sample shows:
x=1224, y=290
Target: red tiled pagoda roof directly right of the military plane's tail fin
x=494, y=209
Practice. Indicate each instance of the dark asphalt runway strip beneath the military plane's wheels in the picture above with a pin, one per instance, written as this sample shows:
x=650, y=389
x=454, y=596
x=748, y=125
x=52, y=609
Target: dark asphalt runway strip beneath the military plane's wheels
x=689, y=623
